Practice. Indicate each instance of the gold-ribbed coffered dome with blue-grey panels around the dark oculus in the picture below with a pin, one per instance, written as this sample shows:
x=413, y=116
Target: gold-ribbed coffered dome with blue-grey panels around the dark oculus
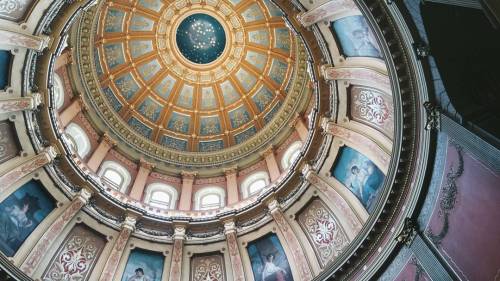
x=182, y=102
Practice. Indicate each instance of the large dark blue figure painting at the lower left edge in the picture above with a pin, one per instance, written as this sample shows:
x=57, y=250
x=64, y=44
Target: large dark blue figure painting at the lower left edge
x=21, y=213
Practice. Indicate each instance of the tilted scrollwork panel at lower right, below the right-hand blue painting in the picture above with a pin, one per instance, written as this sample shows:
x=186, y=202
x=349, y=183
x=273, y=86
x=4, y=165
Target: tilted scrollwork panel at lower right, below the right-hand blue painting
x=325, y=233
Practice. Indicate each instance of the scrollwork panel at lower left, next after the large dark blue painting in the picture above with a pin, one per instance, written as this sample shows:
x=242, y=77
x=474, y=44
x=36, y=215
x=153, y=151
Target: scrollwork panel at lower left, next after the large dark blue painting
x=77, y=255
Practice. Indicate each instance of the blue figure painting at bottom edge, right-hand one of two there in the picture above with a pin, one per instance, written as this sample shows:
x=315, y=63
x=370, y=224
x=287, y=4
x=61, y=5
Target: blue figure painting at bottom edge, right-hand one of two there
x=268, y=259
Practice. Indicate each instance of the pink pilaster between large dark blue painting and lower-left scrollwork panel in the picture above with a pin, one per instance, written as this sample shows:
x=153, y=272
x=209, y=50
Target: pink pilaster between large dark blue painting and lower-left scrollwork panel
x=45, y=242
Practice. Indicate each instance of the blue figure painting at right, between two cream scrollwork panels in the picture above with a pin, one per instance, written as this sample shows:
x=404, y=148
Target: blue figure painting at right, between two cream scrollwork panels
x=359, y=174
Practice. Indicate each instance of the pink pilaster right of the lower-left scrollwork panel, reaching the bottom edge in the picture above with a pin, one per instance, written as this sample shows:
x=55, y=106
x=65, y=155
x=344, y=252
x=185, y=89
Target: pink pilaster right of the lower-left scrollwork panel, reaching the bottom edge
x=109, y=271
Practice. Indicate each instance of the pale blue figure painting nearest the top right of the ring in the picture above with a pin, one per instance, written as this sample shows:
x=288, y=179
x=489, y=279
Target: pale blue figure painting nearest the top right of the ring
x=356, y=38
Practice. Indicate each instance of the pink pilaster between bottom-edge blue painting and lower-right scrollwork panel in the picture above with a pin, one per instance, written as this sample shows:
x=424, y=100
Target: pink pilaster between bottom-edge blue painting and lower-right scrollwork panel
x=298, y=256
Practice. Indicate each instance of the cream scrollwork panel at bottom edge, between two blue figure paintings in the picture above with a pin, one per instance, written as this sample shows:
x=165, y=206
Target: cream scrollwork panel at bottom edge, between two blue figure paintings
x=208, y=267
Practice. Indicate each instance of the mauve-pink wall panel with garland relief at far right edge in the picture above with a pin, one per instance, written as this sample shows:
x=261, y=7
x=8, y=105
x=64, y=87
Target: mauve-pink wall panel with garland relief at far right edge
x=471, y=244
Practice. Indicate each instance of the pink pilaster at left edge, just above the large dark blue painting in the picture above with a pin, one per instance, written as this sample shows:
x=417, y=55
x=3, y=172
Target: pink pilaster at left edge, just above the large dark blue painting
x=27, y=167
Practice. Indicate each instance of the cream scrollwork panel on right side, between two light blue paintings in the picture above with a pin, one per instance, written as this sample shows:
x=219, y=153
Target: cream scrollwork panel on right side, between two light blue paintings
x=373, y=108
